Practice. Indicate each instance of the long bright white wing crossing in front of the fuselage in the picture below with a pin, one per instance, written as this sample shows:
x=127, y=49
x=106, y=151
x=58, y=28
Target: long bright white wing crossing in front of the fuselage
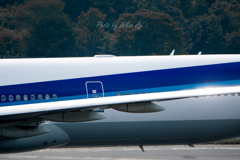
x=31, y=110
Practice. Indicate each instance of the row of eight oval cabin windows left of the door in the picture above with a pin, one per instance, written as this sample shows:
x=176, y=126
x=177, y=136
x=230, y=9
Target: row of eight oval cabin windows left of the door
x=25, y=97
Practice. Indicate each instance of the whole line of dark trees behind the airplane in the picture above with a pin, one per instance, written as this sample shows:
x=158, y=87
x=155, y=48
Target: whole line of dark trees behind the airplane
x=71, y=28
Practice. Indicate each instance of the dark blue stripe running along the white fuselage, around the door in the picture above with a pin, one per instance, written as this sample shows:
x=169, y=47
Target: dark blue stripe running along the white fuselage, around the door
x=173, y=78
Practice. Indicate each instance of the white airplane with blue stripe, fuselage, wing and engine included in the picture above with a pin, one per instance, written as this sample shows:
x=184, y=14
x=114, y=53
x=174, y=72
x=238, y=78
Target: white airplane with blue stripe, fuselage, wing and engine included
x=109, y=100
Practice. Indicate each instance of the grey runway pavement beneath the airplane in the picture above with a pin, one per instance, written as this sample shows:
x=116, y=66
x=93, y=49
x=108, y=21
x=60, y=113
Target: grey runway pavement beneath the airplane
x=199, y=152
